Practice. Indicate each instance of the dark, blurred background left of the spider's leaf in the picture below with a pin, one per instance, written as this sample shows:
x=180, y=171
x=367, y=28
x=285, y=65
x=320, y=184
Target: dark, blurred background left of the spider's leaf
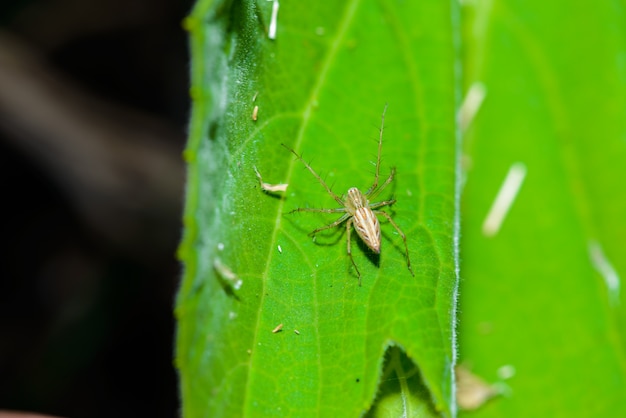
x=93, y=109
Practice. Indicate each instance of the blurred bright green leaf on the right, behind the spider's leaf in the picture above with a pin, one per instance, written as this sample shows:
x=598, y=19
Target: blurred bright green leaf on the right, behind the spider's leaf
x=542, y=295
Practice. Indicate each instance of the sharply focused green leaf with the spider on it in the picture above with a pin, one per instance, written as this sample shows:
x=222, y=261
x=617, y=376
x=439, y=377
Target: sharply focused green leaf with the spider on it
x=320, y=88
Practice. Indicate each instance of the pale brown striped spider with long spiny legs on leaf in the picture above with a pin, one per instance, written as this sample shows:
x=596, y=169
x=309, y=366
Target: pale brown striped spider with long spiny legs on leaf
x=357, y=209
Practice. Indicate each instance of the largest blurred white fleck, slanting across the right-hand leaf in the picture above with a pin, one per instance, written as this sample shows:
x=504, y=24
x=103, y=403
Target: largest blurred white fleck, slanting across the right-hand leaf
x=507, y=194
